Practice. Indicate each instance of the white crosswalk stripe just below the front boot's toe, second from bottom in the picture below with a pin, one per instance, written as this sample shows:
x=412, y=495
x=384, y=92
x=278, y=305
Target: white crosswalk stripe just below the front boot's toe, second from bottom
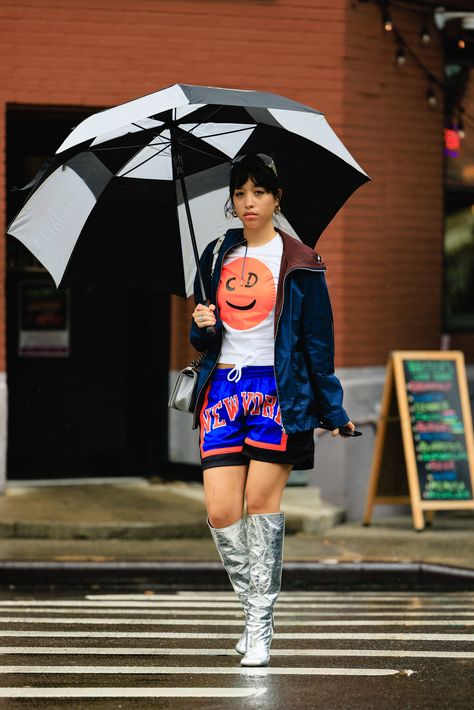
x=194, y=670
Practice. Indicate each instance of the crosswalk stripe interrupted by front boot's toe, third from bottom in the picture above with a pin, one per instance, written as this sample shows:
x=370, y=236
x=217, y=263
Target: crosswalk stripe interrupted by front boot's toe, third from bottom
x=317, y=652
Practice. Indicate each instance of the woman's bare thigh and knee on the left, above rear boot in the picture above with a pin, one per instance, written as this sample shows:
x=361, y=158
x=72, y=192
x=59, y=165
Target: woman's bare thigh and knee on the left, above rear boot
x=224, y=489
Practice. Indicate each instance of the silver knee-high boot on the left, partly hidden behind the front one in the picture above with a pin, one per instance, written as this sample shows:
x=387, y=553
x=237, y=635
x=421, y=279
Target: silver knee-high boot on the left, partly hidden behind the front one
x=231, y=543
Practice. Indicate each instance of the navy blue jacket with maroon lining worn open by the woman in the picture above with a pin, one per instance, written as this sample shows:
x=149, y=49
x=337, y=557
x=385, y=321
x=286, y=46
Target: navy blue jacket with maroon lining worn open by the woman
x=309, y=393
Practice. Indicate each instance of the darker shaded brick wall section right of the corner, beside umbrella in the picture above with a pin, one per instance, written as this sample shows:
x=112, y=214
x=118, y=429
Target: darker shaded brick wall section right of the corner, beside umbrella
x=393, y=227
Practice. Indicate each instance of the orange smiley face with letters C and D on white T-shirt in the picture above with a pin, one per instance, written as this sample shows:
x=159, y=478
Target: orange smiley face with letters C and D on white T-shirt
x=246, y=301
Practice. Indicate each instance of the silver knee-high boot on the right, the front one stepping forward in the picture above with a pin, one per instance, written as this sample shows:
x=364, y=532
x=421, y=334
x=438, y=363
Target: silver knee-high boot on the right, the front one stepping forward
x=265, y=534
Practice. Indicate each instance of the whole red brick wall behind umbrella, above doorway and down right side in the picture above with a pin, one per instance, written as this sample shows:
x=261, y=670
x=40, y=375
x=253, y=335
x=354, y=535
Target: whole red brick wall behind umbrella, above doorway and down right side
x=383, y=250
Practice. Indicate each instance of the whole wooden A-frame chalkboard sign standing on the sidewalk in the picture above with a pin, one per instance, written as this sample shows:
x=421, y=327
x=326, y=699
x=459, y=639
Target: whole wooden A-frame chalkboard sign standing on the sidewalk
x=427, y=416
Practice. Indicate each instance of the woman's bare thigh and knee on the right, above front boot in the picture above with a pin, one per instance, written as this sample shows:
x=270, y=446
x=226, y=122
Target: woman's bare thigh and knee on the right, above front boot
x=265, y=485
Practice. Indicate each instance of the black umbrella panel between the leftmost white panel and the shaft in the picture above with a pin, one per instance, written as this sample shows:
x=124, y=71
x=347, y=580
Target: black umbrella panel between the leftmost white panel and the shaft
x=129, y=239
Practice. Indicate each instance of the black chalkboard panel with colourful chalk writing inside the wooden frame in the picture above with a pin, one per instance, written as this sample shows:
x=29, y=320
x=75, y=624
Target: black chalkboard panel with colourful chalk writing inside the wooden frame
x=438, y=429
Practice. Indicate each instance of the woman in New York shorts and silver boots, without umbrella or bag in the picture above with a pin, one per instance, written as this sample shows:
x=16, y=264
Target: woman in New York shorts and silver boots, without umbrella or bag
x=267, y=380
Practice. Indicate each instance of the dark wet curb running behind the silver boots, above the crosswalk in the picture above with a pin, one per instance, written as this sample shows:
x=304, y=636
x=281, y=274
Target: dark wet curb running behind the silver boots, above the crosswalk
x=211, y=575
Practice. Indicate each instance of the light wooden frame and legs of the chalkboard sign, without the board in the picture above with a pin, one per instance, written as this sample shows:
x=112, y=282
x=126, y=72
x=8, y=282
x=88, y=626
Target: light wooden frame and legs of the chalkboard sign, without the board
x=395, y=375
